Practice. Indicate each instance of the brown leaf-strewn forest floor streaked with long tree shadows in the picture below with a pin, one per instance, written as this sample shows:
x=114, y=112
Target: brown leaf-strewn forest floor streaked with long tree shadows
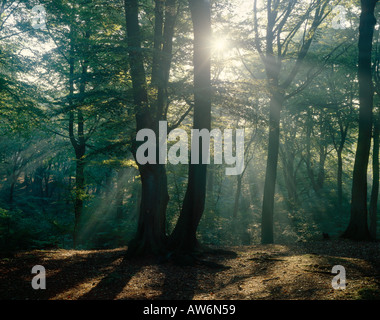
x=258, y=272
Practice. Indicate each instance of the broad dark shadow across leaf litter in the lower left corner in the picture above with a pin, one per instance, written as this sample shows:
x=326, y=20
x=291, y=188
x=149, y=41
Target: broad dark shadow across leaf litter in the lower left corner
x=62, y=274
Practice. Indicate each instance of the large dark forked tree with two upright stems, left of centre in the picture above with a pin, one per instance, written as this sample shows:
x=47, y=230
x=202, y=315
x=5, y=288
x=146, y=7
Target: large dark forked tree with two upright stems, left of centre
x=151, y=234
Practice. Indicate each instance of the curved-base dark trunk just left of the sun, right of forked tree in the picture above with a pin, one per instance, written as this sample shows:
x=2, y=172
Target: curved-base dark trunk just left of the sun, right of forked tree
x=183, y=237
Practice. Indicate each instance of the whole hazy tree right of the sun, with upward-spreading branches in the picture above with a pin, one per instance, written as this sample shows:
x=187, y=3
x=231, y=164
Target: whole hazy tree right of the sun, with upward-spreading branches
x=273, y=50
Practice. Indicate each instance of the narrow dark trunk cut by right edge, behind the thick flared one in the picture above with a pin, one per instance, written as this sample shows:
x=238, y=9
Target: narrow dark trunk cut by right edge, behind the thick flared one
x=375, y=179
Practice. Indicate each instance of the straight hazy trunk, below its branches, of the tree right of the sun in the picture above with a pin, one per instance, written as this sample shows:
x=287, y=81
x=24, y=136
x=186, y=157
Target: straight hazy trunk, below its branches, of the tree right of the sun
x=276, y=104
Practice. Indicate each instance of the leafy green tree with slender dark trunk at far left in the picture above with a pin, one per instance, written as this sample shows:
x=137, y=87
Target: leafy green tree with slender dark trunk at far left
x=72, y=74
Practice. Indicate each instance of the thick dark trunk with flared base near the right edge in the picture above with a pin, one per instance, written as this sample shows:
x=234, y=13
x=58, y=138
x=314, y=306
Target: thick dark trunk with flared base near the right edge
x=358, y=226
